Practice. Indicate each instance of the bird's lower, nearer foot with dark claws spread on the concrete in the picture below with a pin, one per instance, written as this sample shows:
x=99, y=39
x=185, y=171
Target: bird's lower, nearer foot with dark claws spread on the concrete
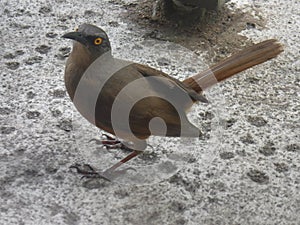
x=88, y=171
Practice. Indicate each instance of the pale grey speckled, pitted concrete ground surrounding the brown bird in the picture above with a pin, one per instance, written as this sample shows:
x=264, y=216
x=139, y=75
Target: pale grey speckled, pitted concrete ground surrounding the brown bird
x=251, y=177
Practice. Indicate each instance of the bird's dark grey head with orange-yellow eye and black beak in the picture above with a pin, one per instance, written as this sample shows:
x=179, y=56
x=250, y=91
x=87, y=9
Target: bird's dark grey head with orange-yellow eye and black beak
x=93, y=38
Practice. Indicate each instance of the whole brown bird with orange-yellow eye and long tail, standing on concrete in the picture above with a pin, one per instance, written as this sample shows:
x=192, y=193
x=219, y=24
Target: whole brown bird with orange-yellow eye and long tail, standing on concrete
x=133, y=101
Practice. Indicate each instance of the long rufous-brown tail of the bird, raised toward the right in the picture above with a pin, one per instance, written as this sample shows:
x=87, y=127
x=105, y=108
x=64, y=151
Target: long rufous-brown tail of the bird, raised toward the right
x=234, y=64
